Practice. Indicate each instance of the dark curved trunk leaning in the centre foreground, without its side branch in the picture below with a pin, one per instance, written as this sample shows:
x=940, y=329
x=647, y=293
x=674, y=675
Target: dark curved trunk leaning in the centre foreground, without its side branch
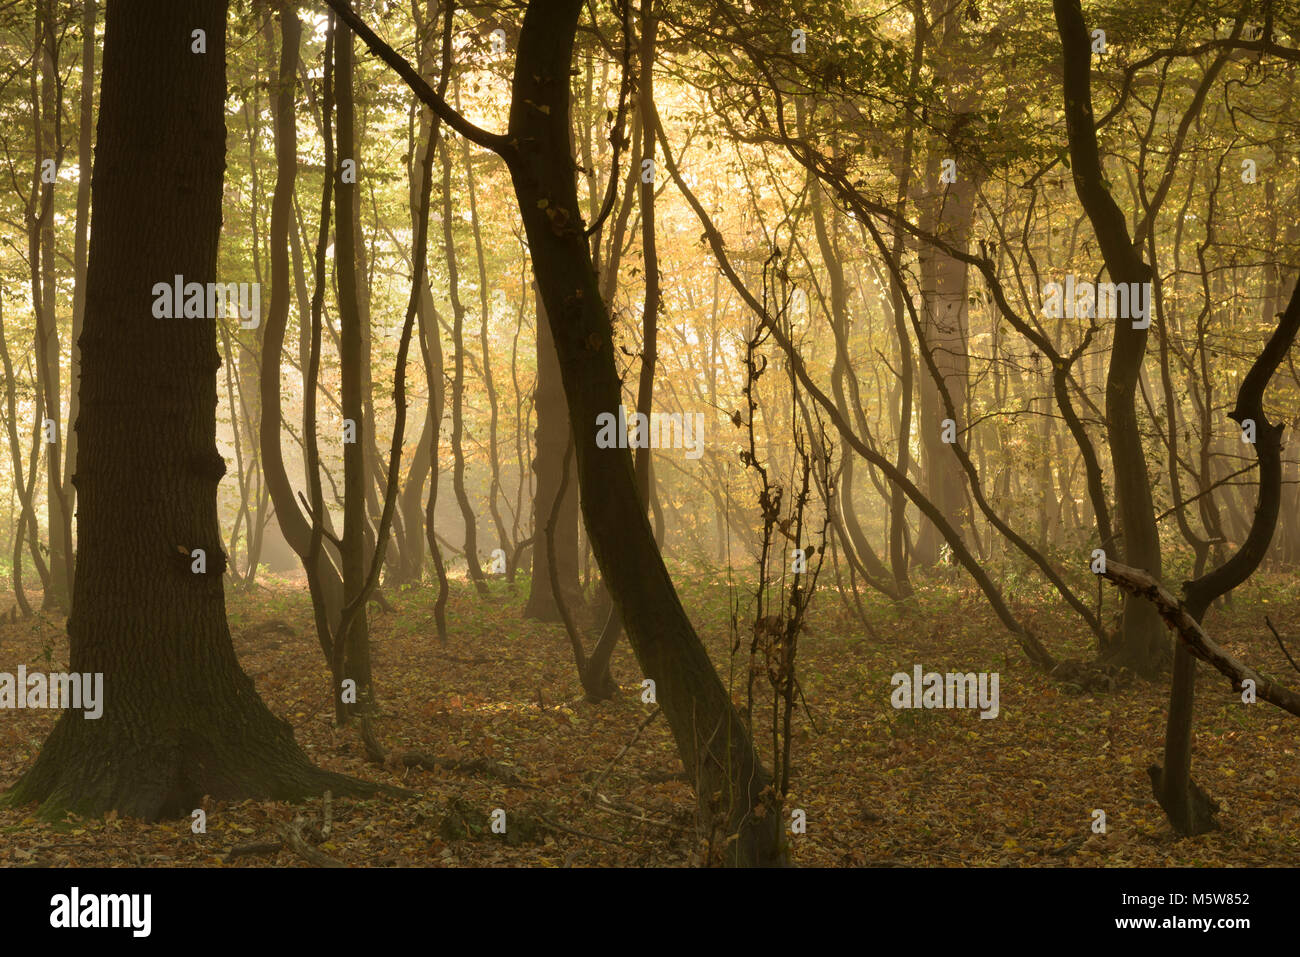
x=712, y=738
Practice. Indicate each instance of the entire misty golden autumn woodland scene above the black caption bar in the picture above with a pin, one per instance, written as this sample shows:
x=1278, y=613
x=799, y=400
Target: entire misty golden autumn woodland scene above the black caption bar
x=765, y=229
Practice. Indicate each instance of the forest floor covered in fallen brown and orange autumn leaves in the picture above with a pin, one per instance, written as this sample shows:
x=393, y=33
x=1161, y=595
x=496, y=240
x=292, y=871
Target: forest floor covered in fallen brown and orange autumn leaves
x=879, y=786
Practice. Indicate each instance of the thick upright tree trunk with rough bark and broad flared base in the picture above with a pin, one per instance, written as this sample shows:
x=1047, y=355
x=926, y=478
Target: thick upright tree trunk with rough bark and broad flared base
x=181, y=720
